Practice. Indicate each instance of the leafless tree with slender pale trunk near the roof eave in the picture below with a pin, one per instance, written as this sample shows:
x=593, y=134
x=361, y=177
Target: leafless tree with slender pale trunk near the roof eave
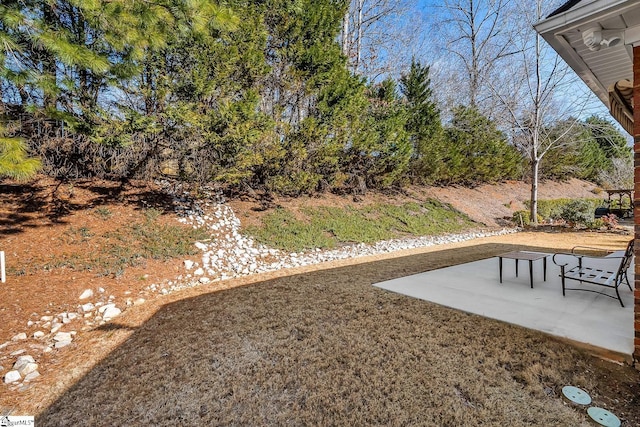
x=536, y=91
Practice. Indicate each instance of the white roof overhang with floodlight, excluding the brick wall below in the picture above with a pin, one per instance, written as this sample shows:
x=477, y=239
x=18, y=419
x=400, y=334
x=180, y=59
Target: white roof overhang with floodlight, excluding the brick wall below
x=595, y=38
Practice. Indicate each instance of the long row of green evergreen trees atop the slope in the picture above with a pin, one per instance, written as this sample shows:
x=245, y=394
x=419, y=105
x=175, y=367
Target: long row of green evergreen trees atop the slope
x=250, y=94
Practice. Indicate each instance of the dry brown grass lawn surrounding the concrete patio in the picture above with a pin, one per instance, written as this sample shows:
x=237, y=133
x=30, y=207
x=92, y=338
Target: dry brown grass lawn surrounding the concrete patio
x=327, y=348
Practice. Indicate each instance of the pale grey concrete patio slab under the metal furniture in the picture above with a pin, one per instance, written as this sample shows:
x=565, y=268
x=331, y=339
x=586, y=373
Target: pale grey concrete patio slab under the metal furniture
x=591, y=319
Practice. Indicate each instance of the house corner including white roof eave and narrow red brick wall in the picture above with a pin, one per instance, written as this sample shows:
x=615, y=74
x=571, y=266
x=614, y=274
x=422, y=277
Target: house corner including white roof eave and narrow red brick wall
x=600, y=40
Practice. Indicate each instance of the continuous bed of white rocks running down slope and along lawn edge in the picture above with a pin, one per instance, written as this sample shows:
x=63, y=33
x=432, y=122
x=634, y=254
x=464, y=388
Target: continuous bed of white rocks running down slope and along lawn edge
x=229, y=254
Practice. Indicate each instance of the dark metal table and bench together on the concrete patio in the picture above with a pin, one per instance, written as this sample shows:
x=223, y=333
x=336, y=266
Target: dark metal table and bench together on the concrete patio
x=608, y=272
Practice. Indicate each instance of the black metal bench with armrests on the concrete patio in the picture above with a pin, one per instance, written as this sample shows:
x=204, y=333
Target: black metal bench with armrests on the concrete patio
x=608, y=271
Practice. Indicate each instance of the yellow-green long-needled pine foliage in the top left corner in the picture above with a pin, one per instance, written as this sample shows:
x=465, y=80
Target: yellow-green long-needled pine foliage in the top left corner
x=65, y=59
